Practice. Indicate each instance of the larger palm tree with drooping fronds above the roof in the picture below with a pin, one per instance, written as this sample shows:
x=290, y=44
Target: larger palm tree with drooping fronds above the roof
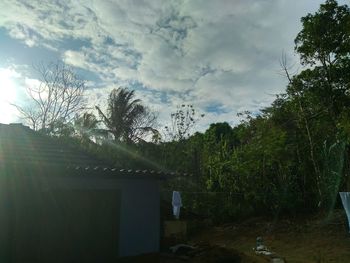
x=126, y=118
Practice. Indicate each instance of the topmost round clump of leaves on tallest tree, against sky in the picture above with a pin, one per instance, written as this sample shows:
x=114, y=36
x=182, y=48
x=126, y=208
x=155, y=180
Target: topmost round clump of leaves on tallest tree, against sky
x=325, y=36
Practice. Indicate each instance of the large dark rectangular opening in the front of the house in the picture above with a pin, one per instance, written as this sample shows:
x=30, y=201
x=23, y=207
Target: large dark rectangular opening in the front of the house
x=85, y=221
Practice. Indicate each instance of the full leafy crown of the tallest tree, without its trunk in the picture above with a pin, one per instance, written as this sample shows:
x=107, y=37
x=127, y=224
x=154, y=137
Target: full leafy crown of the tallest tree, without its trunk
x=324, y=44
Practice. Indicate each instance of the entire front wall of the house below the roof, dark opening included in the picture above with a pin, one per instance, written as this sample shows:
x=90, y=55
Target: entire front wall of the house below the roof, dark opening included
x=22, y=227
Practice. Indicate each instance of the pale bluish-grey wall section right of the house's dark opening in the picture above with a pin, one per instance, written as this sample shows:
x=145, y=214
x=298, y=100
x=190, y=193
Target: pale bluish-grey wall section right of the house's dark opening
x=140, y=217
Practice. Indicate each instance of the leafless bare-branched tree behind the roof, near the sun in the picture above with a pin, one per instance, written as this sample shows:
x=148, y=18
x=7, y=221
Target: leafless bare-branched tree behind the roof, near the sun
x=58, y=97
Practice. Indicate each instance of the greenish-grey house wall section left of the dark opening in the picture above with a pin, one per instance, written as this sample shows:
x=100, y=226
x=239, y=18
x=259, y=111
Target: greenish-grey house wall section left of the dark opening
x=20, y=211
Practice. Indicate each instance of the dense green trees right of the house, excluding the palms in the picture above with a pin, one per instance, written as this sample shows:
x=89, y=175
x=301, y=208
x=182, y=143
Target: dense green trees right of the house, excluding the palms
x=294, y=156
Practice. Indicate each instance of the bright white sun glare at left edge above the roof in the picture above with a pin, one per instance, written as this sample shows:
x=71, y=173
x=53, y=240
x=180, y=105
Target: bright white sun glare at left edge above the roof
x=7, y=95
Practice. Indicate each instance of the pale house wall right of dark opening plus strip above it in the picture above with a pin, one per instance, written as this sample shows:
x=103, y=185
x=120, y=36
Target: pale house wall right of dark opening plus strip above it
x=139, y=231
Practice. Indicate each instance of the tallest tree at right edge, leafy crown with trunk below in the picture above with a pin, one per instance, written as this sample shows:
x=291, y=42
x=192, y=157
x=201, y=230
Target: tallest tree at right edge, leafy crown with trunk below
x=324, y=47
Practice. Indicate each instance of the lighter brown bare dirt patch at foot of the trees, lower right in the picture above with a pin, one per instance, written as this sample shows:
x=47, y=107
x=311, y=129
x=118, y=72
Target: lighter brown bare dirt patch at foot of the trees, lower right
x=300, y=240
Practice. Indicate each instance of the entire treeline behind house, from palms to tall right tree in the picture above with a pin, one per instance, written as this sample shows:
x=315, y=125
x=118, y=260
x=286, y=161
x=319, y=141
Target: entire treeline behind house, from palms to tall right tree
x=293, y=157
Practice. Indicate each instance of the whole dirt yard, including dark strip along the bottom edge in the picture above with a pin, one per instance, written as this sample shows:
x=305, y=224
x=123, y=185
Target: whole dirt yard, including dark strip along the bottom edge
x=306, y=239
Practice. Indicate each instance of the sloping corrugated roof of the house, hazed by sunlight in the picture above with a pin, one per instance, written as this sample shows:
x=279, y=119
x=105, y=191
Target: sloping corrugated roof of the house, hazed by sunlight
x=24, y=148
